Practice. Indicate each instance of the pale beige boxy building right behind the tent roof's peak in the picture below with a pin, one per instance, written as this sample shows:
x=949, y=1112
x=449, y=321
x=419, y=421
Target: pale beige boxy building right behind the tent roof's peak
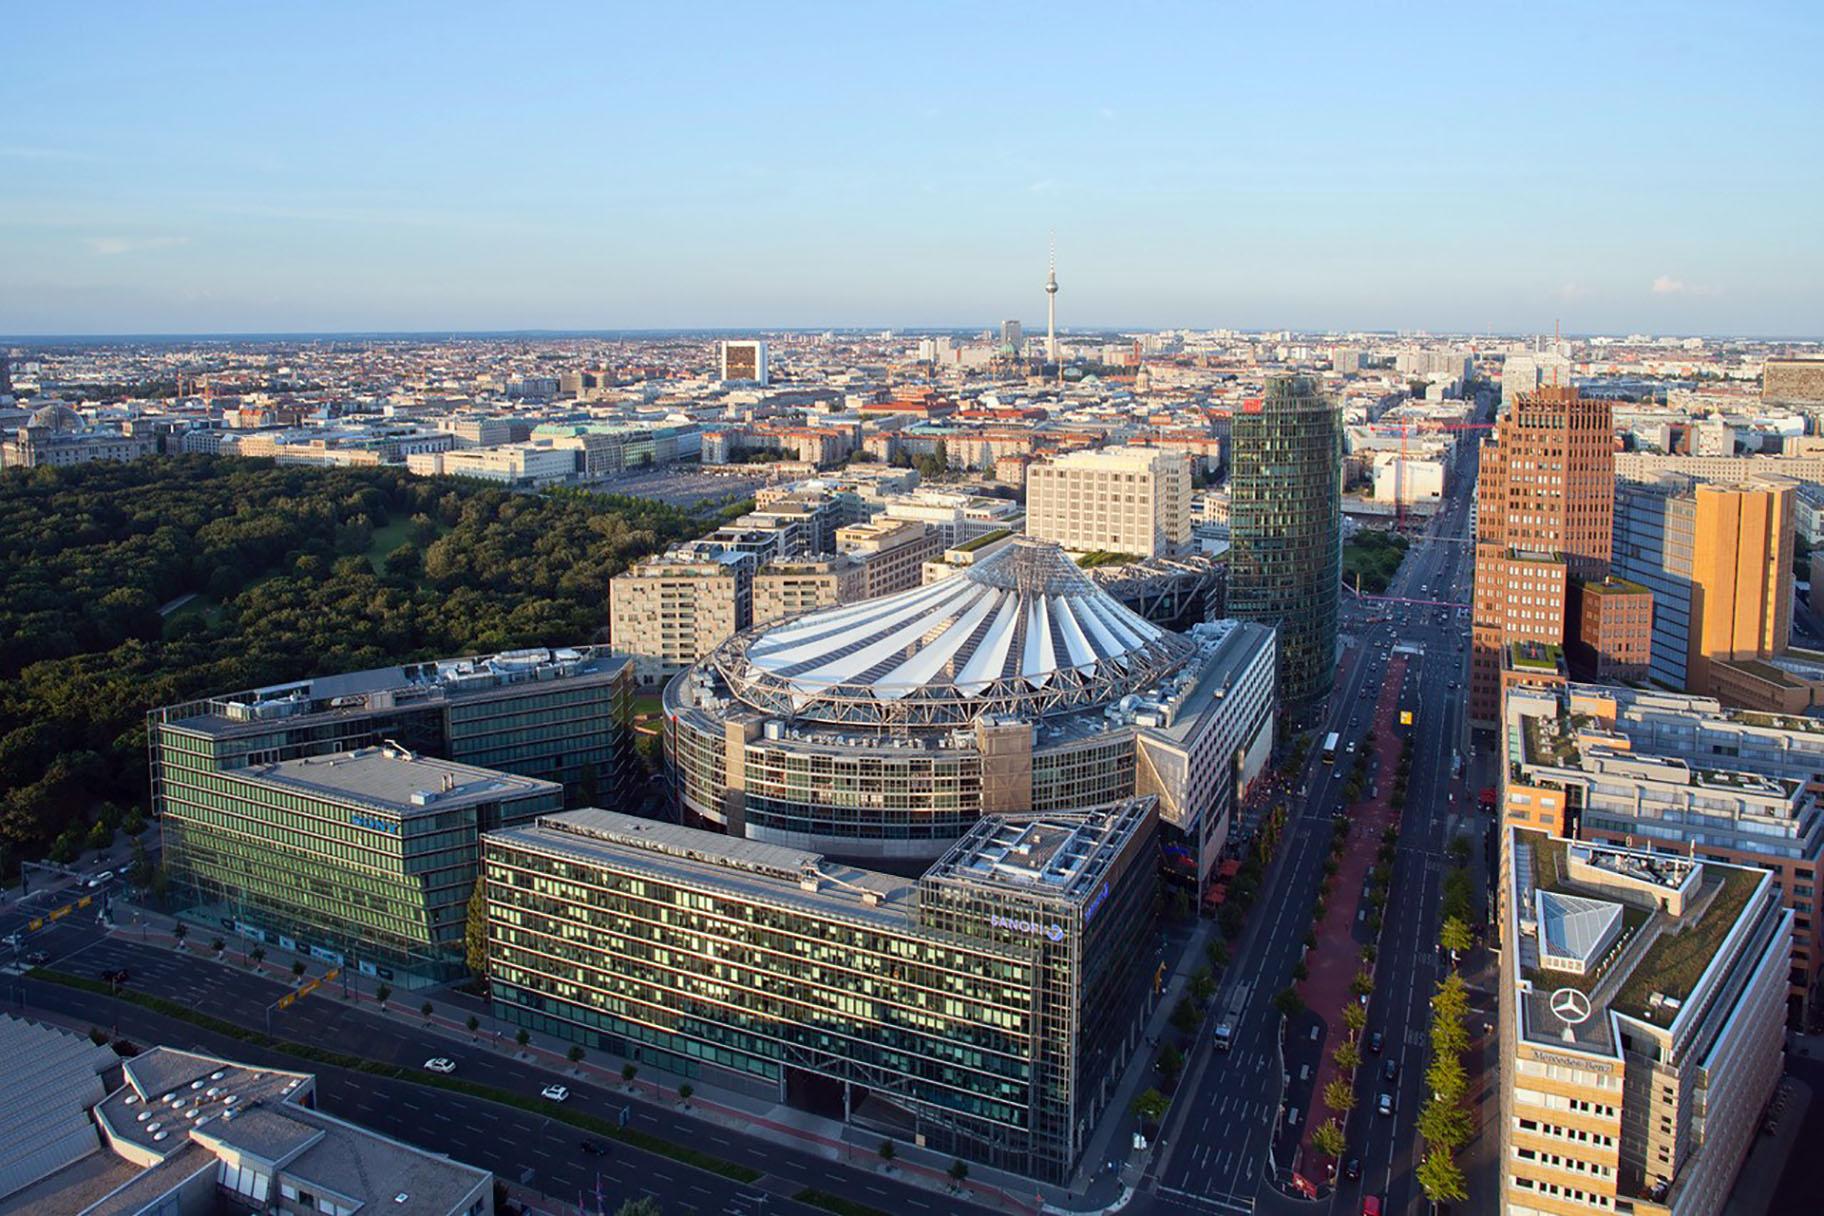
x=1112, y=500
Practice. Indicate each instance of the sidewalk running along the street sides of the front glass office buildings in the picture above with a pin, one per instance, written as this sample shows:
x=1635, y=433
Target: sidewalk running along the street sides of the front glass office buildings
x=741, y=1113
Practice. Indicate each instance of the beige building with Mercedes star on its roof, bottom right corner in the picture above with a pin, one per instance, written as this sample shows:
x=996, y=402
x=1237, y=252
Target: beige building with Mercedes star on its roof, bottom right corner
x=1643, y=1025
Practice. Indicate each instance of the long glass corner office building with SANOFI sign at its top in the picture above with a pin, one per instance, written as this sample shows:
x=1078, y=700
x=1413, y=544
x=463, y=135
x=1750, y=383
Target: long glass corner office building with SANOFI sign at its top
x=986, y=1009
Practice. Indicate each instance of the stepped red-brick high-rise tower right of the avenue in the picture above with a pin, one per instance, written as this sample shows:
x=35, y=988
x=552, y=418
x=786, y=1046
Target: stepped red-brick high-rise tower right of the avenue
x=1544, y=511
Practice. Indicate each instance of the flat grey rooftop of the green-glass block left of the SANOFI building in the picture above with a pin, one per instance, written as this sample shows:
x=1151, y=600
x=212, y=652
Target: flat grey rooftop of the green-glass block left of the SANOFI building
x=397, y=781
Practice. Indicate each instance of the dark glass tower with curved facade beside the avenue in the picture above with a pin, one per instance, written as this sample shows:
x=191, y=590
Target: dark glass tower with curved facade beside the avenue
x=1287, y=531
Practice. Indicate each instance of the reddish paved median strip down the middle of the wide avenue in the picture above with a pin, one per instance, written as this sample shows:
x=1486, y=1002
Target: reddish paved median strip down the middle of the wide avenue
x=1338, y=956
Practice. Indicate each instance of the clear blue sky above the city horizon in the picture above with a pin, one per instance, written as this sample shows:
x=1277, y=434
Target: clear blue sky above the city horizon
x=1619, y=167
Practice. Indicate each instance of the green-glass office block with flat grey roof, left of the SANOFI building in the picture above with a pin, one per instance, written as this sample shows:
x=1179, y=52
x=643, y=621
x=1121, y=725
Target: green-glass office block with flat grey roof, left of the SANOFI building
x=353, y=880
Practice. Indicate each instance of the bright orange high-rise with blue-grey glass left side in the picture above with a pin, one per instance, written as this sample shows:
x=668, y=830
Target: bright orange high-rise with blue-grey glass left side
x=1719, y=561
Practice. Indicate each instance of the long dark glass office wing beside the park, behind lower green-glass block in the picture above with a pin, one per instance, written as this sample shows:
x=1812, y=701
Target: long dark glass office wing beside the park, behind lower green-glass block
x=550, y=714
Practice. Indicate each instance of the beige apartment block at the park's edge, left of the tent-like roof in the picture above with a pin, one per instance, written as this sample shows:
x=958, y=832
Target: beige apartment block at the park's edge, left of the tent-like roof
x=674, y=610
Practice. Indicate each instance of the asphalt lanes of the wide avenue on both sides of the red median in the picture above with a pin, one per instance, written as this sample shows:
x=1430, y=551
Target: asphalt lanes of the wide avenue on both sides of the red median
x=1216, y=1140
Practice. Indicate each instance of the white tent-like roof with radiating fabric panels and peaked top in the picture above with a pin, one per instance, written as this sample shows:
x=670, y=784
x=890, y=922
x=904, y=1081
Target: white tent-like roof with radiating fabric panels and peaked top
x=1022, y=632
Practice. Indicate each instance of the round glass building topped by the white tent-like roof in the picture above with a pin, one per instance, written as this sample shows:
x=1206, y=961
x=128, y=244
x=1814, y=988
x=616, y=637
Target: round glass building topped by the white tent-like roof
x=887, y=728
